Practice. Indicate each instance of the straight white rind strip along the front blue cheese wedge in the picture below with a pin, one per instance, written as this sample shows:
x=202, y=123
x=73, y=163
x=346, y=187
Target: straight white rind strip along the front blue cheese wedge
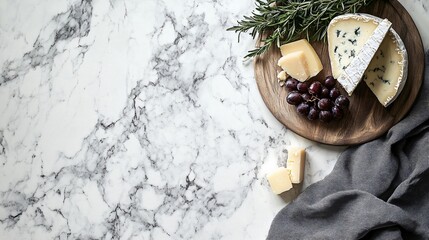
x=353, y=73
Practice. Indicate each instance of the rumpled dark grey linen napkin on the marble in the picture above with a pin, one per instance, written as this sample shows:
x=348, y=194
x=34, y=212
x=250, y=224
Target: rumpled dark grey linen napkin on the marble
x=378, y=190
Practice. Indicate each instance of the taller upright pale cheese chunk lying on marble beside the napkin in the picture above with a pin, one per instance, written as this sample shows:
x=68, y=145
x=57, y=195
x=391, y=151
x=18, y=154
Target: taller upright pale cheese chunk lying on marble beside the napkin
x=296, y=164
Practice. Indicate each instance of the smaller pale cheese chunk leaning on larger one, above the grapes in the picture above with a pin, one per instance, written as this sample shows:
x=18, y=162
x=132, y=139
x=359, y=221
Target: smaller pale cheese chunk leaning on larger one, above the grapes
x=295, y=64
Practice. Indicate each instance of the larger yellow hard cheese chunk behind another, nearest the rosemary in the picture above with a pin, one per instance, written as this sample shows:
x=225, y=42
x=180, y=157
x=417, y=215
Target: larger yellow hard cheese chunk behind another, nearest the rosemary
x=313, y=63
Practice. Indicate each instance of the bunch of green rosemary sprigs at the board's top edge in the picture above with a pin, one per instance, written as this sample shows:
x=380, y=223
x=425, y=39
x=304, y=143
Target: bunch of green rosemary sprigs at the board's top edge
x=288, y=20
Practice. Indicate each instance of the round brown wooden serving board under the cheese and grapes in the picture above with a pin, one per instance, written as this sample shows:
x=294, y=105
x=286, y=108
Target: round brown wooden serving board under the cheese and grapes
x=367, y=118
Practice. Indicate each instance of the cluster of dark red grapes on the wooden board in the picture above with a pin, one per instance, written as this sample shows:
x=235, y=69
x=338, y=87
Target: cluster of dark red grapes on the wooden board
x=317, y=100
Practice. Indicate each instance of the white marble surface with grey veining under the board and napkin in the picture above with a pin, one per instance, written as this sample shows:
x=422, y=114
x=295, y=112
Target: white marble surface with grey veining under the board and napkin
x=138, y=120
